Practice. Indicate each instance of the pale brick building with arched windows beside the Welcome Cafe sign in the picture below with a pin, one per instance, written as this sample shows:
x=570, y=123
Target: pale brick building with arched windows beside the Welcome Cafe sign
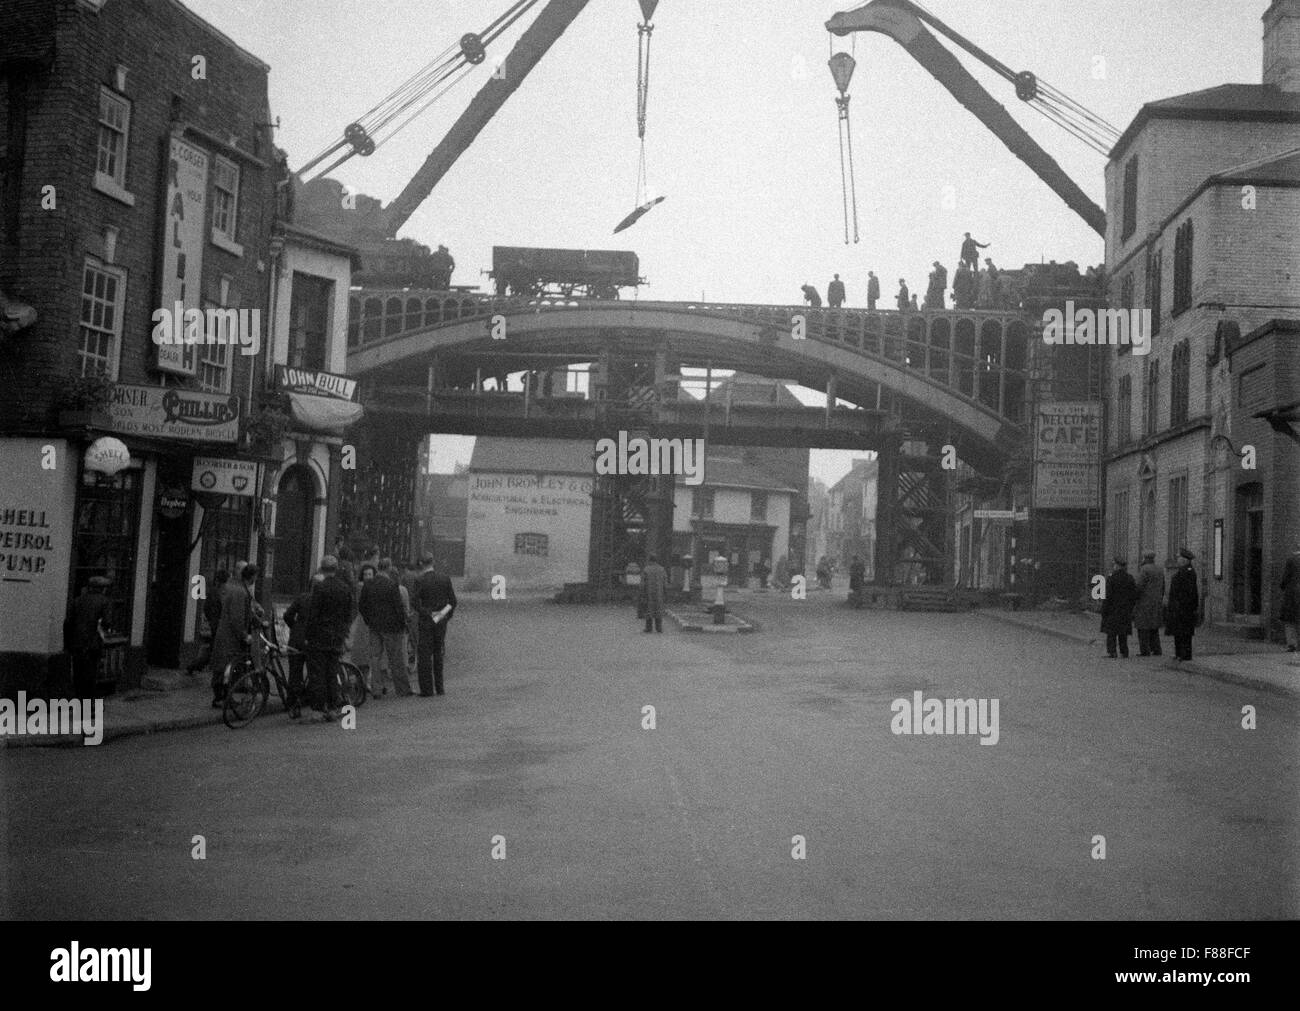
x=1203, y=196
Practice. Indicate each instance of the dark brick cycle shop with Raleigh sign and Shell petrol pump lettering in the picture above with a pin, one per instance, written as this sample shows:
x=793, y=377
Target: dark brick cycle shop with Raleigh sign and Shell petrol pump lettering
x=137, y=172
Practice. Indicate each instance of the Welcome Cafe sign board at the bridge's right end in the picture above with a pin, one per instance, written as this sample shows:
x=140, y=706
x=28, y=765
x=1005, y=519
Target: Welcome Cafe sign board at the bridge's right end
x=1068, y=446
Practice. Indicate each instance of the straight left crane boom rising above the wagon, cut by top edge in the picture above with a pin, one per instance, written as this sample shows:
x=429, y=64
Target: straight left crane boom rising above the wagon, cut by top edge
x=532, y=46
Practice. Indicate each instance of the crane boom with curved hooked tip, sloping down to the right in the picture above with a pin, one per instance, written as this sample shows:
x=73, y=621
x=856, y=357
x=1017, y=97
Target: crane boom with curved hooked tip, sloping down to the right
x=903, y=23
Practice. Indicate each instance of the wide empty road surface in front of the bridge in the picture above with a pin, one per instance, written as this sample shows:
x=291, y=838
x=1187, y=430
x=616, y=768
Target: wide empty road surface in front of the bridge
x=578, y=769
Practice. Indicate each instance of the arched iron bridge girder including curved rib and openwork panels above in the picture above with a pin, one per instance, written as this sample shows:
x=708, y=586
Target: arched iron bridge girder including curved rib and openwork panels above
x=969, y=368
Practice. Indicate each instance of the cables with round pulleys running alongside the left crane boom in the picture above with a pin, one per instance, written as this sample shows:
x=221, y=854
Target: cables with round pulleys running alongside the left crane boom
x=454, y=62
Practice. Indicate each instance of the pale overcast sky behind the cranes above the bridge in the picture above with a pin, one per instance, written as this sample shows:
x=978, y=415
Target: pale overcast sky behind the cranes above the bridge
x=742, y=133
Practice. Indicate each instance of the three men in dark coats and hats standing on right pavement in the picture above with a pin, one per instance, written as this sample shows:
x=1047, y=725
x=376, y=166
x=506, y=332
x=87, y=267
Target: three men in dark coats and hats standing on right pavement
x=1143, y=602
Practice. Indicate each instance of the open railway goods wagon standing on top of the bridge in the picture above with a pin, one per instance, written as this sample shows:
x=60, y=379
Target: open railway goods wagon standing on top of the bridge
x=584, y=274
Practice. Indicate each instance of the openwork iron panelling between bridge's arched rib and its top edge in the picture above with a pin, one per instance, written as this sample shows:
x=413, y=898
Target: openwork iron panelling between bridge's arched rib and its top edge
x=980, y=354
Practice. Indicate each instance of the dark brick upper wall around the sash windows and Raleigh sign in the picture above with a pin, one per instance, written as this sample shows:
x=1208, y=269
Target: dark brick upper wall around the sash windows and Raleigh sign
x=157, y=41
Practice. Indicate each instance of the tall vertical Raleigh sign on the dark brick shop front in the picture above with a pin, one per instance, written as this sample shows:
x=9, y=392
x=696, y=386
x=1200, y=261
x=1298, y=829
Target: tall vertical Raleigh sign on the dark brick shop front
x=184, y=216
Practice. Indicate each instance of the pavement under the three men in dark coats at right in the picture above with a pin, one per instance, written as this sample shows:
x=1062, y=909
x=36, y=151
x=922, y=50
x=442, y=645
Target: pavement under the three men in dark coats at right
x=1215, y=654
